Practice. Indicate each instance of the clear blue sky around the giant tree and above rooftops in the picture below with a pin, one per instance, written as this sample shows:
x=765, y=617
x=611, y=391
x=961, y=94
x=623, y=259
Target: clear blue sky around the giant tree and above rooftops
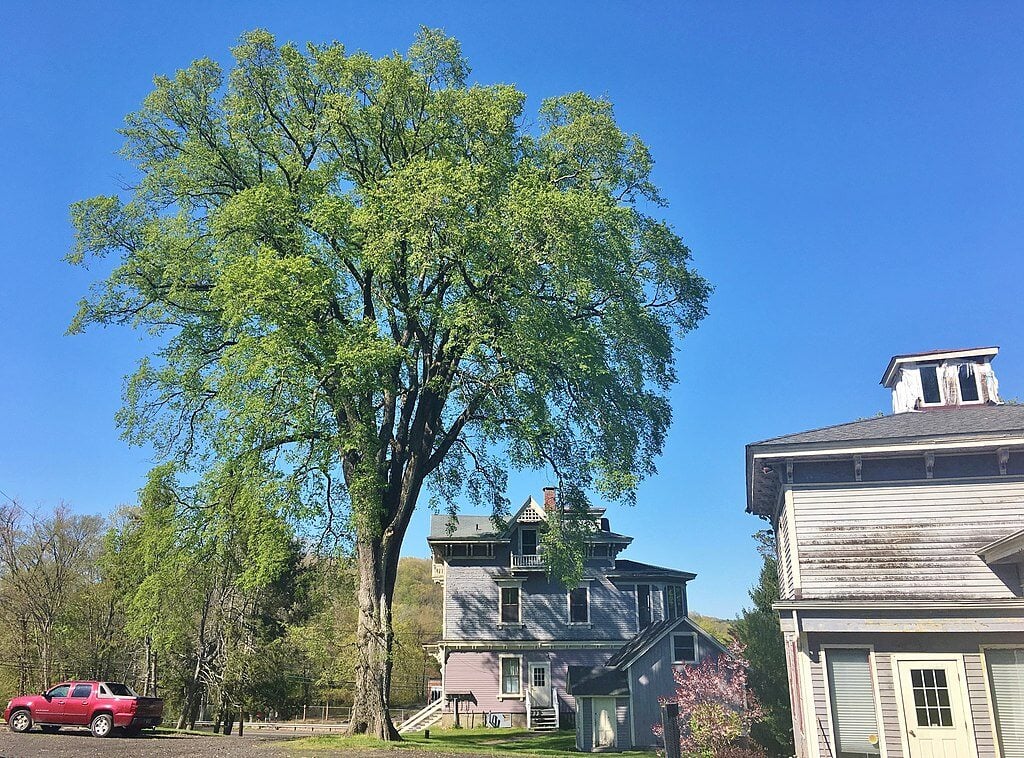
x=848, y=176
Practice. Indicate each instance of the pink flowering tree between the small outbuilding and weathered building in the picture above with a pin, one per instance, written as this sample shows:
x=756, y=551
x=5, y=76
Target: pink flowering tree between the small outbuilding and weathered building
x=716, y=707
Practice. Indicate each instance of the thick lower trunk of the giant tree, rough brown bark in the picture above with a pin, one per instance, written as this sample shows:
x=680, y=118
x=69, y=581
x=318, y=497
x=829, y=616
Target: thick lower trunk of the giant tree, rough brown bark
x=378, y=568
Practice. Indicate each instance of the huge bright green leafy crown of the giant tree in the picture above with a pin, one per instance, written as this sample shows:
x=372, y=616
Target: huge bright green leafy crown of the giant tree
x=368, y=275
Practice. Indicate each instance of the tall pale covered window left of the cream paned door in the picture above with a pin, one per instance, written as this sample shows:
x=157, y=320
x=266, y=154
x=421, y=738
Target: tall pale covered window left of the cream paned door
x=855, y=719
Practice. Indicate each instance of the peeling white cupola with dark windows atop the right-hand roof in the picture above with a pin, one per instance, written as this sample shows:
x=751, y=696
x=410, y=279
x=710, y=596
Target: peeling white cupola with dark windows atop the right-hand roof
x=922, y=382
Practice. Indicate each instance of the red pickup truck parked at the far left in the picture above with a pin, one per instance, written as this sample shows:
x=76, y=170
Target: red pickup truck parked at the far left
x=99, y=705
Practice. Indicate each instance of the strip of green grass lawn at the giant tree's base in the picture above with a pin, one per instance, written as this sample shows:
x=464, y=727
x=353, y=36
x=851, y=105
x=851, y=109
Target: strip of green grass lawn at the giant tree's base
x=490, y=742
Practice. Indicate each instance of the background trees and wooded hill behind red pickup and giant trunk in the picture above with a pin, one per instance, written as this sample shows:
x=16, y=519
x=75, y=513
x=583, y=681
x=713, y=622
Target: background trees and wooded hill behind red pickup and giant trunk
x=164, y=597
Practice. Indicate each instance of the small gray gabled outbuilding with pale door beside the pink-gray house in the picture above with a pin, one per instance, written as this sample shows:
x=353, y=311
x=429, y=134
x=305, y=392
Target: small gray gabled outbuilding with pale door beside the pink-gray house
x=619, y=704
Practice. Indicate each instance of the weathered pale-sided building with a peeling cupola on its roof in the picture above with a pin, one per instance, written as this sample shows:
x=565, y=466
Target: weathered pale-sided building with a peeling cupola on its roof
x=901, y=550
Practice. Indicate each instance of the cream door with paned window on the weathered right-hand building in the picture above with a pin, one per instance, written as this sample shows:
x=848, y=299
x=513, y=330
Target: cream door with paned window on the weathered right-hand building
x=933, y=709
